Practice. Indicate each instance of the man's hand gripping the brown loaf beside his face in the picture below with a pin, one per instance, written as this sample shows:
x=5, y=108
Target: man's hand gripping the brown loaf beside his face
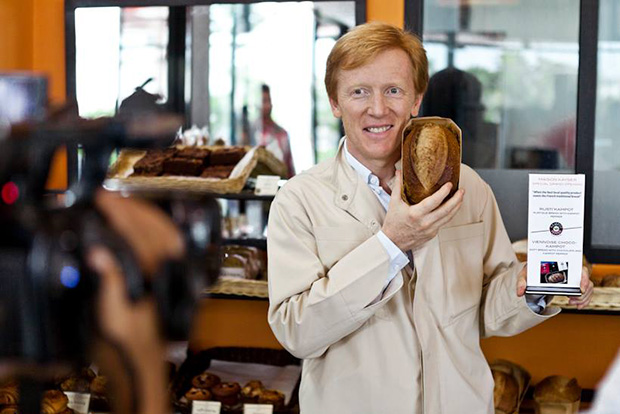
x=410, y=227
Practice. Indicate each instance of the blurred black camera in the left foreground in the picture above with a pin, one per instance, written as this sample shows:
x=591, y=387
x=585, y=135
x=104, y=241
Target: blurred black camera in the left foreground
x=47, y=293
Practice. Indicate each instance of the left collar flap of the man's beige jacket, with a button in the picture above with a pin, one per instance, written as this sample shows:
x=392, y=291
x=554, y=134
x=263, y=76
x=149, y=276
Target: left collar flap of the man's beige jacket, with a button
x=353, y=194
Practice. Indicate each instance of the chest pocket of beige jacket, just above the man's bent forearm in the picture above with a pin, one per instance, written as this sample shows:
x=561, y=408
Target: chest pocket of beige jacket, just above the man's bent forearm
x=333, y=243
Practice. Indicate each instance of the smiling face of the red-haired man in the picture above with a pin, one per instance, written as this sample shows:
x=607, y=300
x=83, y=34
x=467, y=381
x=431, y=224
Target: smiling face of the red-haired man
x=375, y=102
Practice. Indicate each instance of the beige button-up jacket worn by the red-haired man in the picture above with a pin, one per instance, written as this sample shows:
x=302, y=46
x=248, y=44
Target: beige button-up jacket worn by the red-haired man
x=416, y=350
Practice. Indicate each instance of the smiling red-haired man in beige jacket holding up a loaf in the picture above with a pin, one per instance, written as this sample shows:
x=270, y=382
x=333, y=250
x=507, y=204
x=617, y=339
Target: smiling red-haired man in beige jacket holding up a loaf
x=386, y=302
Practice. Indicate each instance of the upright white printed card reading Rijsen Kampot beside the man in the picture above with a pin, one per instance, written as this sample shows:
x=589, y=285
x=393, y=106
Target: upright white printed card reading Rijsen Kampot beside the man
x=555, y=233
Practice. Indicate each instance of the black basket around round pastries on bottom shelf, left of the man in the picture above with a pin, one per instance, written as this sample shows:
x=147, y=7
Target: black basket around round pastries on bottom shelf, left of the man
x=197, y=363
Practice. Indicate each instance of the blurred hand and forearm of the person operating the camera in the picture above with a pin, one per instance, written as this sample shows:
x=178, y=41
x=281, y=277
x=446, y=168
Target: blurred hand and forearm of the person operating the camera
x=131, y=347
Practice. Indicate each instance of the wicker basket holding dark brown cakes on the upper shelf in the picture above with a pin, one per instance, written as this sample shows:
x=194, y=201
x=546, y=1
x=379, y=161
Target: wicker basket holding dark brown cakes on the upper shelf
x=119, y=176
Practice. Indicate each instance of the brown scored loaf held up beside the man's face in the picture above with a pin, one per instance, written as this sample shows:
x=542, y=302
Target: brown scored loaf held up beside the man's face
x=431, y=157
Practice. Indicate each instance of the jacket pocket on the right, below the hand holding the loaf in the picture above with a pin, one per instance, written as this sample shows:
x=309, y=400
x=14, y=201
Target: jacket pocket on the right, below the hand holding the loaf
x=462, y=255
